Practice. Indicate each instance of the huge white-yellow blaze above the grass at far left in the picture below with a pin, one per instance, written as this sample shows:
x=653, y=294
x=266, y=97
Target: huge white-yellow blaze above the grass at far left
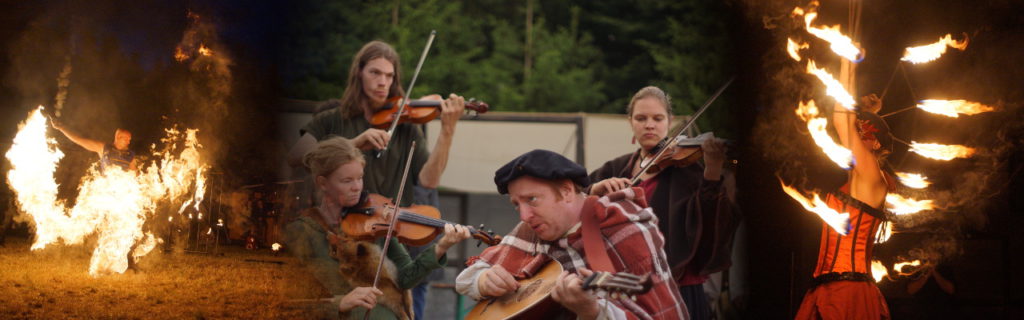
x=113, y=205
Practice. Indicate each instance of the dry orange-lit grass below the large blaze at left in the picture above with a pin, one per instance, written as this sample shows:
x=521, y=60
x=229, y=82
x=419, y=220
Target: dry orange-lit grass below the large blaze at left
x=55, y=285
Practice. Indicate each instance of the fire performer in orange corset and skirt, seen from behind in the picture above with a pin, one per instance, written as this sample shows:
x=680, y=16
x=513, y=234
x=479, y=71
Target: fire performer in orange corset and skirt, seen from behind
x=843, y=287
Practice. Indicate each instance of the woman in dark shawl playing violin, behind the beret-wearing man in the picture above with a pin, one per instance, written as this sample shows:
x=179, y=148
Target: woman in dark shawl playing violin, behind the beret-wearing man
x=691, y=203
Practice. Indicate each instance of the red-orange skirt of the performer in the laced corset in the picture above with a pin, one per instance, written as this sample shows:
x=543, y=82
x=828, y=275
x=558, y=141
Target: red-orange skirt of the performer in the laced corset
x=844, y=300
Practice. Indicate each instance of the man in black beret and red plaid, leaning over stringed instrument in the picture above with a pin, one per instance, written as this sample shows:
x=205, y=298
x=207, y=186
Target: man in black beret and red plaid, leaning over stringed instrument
x=547, y=191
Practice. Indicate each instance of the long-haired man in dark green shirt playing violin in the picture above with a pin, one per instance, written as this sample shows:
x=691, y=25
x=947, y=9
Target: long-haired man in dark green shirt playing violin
x=373, y=78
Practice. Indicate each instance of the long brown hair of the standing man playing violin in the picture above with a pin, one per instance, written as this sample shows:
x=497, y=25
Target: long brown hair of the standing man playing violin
x=354, y=99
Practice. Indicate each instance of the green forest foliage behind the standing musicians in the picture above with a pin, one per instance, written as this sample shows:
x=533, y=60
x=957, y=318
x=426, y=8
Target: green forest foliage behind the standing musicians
x=585, y=56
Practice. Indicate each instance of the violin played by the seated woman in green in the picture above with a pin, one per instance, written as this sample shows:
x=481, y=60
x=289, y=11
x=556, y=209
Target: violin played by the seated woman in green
x=417, y=225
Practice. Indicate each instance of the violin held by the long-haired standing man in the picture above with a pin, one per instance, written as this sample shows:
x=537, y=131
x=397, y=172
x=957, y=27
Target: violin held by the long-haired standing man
x=418, y=112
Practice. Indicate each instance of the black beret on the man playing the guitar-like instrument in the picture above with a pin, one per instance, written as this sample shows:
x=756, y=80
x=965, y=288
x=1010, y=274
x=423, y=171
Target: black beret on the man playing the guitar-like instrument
x=542, y=165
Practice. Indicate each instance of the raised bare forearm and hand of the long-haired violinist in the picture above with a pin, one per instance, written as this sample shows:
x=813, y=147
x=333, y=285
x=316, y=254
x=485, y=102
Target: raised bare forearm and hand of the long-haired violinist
x=431, y=175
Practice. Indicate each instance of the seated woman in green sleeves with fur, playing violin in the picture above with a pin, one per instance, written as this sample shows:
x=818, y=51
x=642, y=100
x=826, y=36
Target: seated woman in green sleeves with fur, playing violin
x=317, y=239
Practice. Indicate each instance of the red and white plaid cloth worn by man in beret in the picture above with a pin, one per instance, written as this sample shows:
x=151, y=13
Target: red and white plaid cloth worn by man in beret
x=635, y=246
